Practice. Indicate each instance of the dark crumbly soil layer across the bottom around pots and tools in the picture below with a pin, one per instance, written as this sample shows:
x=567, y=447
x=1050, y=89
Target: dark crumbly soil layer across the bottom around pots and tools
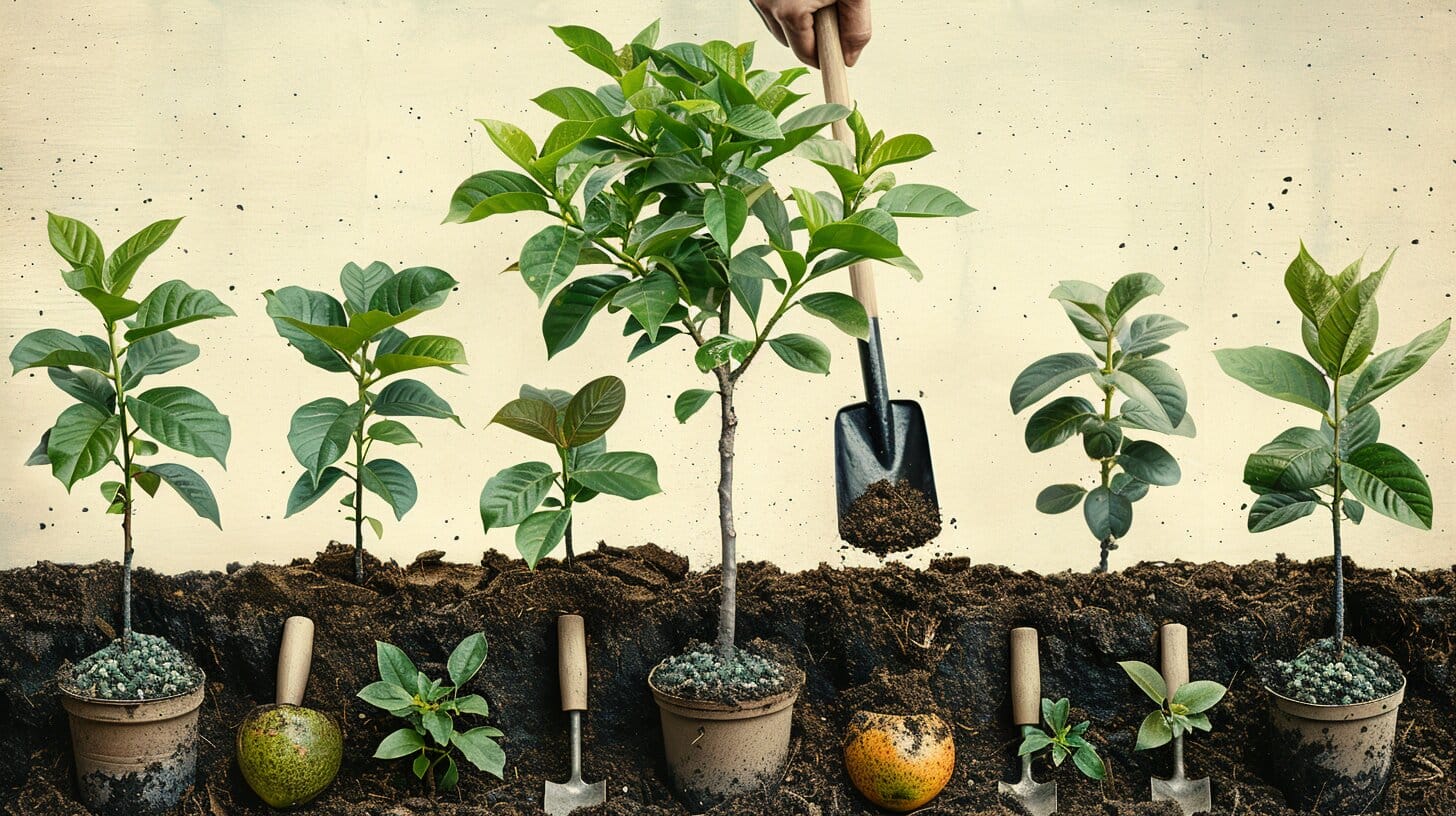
x=892, y=640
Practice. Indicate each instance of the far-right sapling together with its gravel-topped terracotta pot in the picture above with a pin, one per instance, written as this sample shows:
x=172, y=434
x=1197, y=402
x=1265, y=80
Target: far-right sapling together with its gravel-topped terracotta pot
x=1336, y=703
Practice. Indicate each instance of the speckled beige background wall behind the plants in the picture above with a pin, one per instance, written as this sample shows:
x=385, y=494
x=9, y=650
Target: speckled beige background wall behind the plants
x=1094, y=139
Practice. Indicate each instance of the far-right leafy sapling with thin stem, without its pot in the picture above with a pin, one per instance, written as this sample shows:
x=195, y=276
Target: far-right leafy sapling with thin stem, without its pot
x=1304, y=470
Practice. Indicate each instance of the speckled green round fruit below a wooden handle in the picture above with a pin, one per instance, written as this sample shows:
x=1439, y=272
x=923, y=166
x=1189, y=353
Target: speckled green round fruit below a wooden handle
x=289, y=754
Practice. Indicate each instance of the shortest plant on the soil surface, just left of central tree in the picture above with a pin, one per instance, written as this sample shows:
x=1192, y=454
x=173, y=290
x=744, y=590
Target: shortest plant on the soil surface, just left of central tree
x=576, y=425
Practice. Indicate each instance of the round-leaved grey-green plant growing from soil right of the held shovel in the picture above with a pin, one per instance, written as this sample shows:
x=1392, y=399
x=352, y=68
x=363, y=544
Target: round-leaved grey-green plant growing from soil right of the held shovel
x=1155, y=400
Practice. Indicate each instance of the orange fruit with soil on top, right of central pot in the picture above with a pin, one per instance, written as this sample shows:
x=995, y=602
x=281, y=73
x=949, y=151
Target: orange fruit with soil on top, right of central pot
x=899, y=763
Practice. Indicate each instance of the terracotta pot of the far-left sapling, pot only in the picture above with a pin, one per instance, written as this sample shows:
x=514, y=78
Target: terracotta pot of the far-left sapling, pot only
x=133, y=757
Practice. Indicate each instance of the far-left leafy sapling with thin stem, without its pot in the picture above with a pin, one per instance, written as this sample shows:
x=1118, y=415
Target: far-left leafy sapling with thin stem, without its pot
x=111, y=422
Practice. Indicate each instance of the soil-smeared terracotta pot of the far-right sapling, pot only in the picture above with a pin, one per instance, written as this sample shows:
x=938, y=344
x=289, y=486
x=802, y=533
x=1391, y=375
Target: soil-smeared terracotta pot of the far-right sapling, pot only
x=1334, y=758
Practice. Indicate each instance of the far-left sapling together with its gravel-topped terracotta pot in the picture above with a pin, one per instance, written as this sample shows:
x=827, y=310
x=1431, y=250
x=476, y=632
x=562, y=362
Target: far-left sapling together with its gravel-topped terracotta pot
x=133, y=706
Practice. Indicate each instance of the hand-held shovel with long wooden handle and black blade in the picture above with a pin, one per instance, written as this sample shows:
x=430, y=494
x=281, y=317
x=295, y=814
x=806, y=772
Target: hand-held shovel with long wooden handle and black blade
x=880, y=438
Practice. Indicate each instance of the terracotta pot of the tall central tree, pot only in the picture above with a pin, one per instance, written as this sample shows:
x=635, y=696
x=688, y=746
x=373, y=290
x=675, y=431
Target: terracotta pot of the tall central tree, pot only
x=719, y=751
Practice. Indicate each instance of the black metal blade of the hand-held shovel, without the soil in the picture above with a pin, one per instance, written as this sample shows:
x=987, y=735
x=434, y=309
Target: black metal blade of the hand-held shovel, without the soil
x=860, y=461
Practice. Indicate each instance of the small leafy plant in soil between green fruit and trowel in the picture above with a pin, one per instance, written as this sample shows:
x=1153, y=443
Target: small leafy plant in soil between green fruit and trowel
x=432, y=709
